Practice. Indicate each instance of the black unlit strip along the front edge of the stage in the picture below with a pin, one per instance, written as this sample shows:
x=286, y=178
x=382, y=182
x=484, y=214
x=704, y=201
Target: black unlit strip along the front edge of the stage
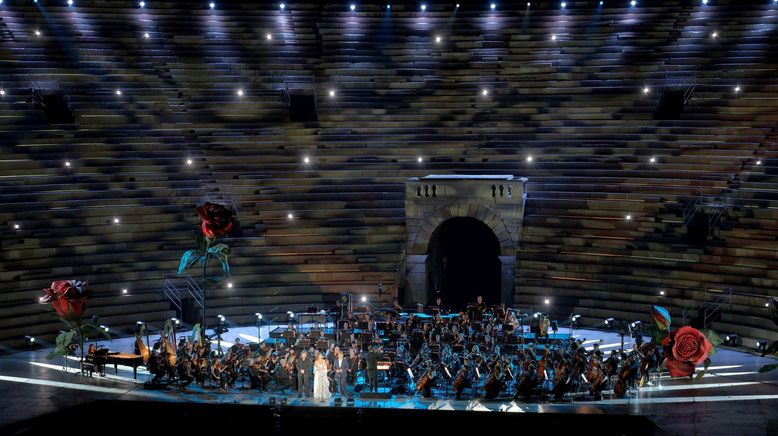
x=154, y=417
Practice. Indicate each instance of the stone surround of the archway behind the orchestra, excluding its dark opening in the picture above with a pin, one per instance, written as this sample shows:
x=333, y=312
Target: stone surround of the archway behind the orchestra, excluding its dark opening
x=497, y=201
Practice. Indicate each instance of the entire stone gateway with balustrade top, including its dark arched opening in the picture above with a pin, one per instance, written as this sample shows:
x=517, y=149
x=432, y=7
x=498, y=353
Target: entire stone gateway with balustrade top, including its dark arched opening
x=462, y=237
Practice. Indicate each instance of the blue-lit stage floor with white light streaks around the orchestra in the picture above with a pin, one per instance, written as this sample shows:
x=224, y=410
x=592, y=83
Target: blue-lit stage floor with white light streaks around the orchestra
x=732, y=398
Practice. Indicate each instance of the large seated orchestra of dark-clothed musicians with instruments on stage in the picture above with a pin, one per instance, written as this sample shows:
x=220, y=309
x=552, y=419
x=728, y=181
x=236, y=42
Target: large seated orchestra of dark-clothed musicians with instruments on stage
x=479, y=353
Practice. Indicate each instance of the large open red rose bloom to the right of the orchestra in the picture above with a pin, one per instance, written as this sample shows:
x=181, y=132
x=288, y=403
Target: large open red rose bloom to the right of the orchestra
x=684, y=348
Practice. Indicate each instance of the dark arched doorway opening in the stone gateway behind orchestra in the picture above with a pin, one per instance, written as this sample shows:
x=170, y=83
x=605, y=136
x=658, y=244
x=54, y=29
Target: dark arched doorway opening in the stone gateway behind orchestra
x=463, y=262
